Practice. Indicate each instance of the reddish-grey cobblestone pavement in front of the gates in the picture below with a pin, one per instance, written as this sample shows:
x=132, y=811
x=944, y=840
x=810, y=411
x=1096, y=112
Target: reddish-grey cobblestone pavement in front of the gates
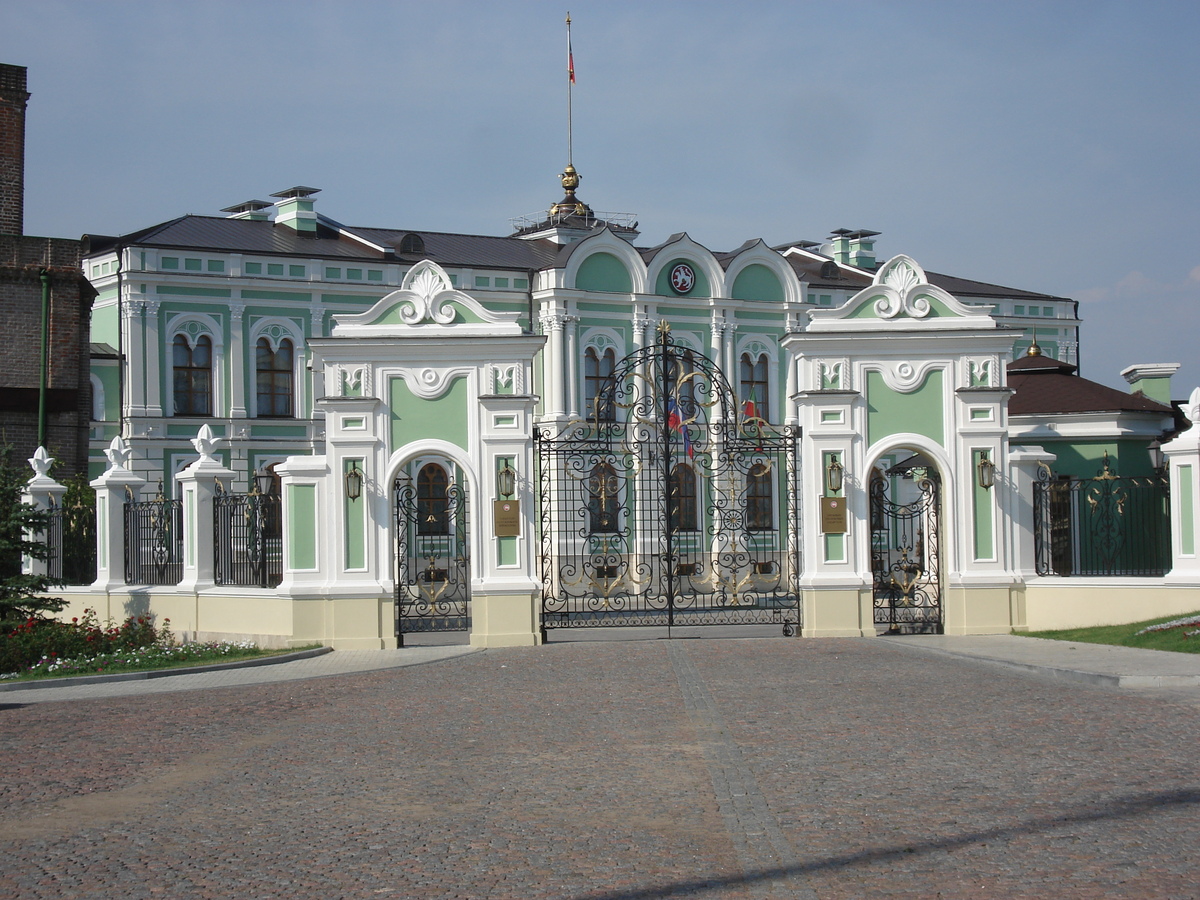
x=719, y=769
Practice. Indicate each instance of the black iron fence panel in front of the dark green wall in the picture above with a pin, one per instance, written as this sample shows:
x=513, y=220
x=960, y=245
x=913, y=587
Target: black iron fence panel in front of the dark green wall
x=1108, y=525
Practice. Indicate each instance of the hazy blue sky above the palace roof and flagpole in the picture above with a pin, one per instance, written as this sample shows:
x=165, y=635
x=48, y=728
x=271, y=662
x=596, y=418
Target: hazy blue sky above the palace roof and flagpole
x=1048, y=146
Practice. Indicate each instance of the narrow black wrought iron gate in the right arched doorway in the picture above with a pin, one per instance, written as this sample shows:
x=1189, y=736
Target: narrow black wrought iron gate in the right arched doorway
x=905, y=560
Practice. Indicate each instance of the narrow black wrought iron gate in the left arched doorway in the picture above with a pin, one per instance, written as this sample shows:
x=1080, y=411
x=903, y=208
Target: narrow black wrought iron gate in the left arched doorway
x=433, y=555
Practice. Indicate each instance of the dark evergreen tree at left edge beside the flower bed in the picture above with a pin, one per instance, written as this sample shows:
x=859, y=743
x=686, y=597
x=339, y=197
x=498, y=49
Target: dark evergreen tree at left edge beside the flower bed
x=21, y=596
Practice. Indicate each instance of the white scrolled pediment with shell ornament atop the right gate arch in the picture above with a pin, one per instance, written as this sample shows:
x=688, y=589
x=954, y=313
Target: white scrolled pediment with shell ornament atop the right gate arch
x=901, y=297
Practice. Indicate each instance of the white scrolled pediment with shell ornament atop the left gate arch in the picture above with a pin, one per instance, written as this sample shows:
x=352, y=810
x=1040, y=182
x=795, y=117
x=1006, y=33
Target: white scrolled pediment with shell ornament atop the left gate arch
x=427, y=302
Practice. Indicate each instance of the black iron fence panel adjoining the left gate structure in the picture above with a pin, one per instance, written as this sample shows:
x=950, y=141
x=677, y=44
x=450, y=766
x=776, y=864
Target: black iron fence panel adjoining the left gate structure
x=248, y=539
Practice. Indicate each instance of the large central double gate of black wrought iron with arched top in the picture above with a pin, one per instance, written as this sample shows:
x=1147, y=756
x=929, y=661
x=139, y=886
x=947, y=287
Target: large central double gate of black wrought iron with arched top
x=669, y=505
